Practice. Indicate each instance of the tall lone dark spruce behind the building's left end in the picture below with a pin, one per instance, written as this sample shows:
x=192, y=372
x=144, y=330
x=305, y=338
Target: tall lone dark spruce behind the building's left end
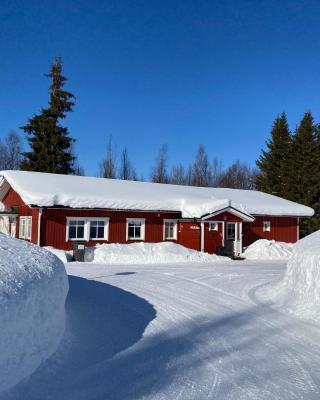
x=49, y=141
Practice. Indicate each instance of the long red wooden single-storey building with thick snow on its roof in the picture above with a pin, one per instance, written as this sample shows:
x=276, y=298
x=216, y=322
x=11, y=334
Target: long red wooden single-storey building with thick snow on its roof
x=56, y=210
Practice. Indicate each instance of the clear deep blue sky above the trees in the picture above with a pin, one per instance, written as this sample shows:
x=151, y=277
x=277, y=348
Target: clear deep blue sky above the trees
x=152, y=72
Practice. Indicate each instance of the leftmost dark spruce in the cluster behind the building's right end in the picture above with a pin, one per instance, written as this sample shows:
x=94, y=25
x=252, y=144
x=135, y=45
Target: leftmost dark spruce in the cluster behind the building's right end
x=274, y=163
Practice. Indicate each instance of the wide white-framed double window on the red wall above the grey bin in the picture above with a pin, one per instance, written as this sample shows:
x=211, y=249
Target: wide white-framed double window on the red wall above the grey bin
x=87, y=228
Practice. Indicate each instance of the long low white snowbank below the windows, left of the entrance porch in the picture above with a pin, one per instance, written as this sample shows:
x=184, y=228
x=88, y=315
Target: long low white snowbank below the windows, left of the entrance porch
x=148, y=253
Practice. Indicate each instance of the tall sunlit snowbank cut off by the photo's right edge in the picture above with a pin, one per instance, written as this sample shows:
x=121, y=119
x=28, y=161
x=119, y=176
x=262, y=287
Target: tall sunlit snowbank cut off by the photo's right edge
x=299, y=291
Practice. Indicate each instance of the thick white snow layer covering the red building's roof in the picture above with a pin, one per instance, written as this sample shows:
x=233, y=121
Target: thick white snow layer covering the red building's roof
x=47, y=190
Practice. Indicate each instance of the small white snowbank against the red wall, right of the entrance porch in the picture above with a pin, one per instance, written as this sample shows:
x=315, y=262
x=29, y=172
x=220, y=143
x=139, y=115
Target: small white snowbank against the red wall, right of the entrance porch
x=268, y=250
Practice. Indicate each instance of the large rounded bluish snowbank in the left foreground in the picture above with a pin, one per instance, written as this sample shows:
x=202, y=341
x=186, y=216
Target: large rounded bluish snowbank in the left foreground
x=33, y=289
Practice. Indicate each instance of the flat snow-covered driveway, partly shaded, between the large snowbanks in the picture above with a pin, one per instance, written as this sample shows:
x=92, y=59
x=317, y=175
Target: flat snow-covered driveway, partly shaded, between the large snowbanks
x=193, y=331
